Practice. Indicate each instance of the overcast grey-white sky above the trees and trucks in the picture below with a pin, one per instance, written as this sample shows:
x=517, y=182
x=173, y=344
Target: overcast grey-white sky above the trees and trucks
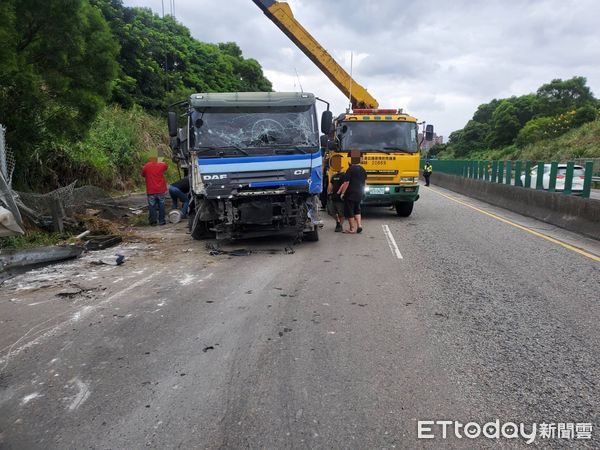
x=436, y=59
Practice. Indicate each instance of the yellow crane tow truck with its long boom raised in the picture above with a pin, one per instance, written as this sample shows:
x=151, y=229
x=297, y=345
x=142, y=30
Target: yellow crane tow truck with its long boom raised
x=388, y=139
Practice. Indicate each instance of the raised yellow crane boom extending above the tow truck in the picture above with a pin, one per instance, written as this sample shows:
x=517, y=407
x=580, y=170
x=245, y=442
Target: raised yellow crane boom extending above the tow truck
x=281, y=15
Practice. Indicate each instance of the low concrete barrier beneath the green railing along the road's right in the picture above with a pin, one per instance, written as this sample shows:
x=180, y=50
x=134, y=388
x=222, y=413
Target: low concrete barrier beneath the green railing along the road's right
x=566, y=211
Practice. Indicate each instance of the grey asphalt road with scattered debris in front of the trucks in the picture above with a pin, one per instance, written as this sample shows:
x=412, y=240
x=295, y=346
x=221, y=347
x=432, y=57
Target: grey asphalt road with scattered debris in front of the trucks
x=345, y=343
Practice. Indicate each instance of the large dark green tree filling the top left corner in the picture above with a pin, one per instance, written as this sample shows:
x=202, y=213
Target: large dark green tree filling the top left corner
x=61, y=65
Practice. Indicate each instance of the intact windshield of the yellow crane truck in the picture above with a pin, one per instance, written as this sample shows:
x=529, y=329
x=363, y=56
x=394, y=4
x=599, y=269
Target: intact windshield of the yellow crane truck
x=381, y=136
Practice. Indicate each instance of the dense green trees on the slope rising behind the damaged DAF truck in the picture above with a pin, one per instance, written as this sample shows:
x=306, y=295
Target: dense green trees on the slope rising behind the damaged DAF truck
x=160, y=62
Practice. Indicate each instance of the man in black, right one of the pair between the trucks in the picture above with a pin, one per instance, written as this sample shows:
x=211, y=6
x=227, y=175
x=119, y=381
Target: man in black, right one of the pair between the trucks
x=352, y=190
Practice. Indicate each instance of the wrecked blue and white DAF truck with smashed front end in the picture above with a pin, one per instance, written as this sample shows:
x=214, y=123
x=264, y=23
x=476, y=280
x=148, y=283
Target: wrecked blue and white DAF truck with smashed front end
x=254, y=161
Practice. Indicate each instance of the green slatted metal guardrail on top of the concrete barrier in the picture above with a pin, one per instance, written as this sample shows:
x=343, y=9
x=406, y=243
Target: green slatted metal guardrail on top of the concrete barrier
x=510, y=172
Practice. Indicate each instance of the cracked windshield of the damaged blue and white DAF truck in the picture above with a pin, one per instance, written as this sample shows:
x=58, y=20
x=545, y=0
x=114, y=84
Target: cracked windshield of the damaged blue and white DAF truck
x=255, y=131
